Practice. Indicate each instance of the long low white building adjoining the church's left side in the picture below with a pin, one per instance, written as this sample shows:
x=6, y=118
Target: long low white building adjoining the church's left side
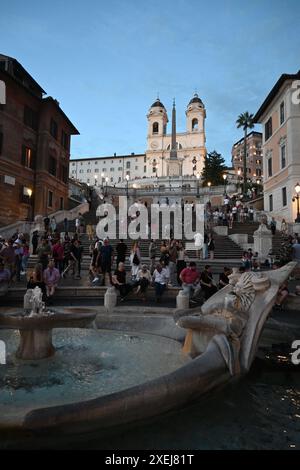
x=110, y=170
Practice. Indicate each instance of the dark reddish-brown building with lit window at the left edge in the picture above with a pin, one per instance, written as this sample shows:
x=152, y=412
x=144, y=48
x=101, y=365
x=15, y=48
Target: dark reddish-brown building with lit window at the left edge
x=35, y=137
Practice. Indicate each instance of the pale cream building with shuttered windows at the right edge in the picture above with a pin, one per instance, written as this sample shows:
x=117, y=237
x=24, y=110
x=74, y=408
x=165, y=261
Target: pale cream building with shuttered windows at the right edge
x=279, y=116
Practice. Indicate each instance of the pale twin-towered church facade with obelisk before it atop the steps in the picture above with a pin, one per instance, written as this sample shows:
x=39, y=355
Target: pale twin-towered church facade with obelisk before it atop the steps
x=176, y=153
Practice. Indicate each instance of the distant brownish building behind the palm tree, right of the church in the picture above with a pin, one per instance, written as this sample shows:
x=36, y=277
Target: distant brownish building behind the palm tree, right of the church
x=254, y=161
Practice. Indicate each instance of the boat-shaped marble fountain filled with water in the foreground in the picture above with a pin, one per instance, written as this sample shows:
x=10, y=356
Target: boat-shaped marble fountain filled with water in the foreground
x=83, y=379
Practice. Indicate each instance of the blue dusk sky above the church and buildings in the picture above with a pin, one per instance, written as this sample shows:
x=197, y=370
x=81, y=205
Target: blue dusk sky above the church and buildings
x=105, y=62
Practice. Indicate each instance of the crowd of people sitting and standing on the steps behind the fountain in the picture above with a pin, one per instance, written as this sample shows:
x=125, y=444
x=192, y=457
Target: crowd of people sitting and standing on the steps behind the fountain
x=59, y=254
